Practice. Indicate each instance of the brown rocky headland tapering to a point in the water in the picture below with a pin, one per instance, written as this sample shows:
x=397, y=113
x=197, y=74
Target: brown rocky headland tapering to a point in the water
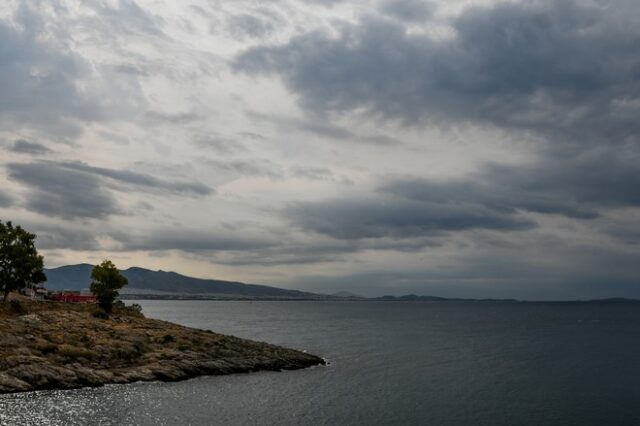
x=49, y=345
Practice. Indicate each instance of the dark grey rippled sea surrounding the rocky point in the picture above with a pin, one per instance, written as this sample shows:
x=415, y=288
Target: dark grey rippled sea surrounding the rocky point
x=391, y=364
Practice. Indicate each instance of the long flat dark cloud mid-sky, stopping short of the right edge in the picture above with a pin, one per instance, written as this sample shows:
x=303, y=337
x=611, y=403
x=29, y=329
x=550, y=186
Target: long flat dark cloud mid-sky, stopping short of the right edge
x=396, y=218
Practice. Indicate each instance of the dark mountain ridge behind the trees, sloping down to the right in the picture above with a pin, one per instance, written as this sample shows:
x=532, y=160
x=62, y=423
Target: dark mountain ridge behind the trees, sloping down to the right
x=144, y=282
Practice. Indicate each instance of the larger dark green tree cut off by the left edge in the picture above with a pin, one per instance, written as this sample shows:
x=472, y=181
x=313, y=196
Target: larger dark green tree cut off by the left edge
x=20, y=263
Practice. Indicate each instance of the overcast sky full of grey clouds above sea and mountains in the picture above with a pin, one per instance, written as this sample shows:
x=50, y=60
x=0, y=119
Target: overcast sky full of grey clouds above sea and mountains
x=455, y=148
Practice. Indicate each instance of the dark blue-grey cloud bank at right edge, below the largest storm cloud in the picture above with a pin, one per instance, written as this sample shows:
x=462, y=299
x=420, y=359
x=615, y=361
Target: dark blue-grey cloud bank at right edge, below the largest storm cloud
x=579, y=187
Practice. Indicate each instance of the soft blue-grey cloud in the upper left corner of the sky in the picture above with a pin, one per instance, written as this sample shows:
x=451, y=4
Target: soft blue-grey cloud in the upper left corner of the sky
x=37, y=79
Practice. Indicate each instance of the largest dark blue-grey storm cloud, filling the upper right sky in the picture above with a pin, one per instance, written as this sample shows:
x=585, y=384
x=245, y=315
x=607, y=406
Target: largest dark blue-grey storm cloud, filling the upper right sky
x=563, y=68
